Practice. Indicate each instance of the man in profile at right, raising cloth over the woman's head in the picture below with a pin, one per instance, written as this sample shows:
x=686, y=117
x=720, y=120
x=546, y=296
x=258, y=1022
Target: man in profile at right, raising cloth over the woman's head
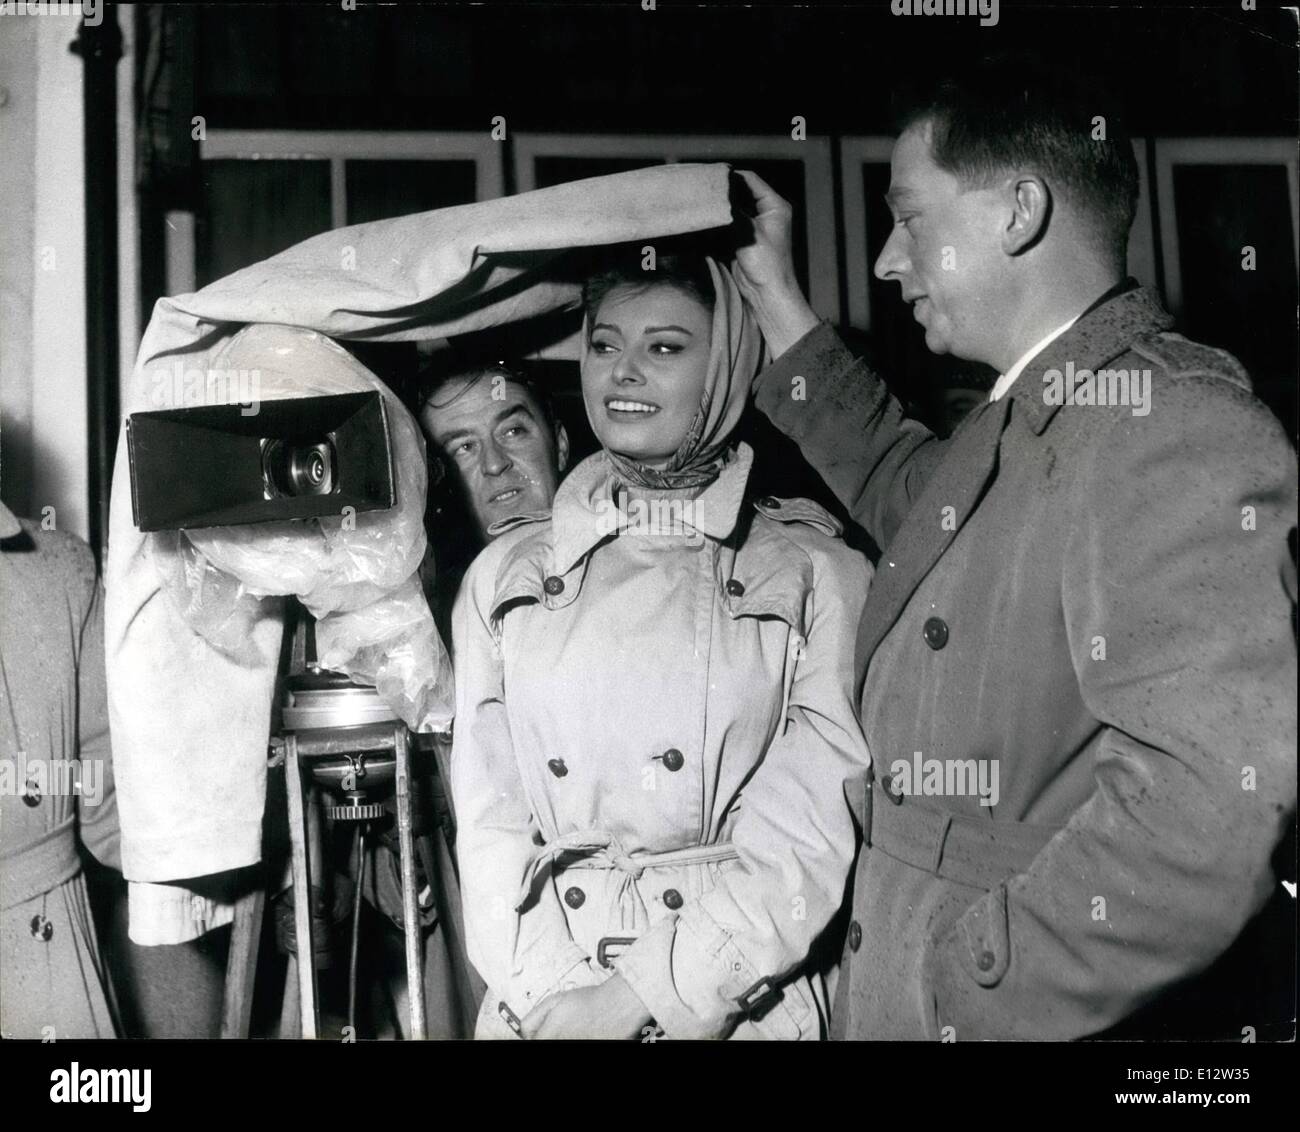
x=1077, y=665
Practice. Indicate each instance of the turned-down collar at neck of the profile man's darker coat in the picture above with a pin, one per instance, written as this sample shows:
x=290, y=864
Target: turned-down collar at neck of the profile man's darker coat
x=1102, y=335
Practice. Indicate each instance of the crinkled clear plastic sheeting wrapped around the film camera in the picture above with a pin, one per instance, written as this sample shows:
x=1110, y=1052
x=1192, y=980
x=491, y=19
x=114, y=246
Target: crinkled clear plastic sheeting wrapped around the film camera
x=357, y=572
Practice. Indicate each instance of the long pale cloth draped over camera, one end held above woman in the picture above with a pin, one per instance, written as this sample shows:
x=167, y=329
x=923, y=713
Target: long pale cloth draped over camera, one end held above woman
x=190, y=719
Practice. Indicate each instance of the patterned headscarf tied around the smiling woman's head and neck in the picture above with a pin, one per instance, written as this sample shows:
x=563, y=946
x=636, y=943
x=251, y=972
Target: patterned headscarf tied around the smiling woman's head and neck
x=735, y=354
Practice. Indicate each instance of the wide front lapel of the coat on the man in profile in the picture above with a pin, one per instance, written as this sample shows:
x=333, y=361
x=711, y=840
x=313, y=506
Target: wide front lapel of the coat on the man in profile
x=957, y=483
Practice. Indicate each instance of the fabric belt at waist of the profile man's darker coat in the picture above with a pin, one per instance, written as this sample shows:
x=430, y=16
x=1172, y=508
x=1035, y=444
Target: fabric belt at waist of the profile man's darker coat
x=974, y=852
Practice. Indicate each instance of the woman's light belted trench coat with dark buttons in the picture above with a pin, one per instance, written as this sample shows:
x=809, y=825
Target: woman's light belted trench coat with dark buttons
x=655, y=731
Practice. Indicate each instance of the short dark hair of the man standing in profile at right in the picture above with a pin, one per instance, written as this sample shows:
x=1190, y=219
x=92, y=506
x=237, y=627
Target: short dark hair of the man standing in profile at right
x=1011, y=112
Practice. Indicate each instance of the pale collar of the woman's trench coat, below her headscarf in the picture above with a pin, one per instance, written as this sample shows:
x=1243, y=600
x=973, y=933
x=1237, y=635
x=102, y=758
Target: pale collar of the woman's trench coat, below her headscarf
x=586, y=510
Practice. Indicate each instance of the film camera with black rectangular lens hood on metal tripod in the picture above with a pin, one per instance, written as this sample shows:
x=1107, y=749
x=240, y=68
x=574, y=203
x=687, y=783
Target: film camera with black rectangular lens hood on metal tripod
x=346, y=754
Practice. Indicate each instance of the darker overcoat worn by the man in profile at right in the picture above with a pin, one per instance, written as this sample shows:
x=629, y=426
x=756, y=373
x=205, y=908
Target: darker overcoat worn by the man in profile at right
x=1100, y=601
